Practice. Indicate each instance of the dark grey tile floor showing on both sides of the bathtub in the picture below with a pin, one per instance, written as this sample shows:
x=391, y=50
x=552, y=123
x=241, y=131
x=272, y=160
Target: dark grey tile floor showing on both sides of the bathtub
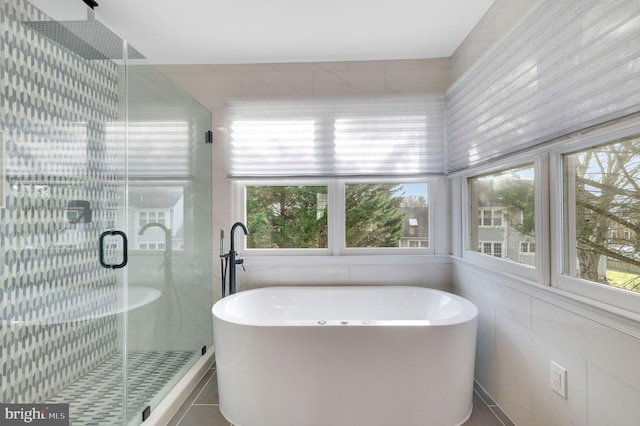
x=201, y=407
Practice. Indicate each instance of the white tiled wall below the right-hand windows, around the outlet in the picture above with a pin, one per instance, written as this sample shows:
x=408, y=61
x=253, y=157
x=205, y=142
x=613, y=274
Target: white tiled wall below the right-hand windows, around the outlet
x=519, y=334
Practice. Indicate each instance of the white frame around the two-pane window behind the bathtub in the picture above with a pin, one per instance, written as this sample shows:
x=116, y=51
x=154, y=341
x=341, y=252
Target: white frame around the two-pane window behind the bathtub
x=336, y=216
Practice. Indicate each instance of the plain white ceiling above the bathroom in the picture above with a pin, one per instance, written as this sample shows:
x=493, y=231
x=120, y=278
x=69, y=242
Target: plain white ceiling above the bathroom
x=258, y=31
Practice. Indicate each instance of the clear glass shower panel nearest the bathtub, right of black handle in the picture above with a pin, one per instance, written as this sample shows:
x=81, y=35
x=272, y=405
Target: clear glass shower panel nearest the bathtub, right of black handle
x=169, y=215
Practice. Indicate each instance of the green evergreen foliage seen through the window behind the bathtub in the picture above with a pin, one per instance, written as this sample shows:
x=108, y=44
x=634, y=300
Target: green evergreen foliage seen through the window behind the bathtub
x=296, y=216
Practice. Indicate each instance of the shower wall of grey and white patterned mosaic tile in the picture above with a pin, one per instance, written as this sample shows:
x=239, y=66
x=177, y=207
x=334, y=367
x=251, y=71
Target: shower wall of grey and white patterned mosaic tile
x=54, y=108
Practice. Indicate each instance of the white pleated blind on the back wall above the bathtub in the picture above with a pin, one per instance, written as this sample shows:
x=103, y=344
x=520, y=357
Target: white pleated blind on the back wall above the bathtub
x=385, y=136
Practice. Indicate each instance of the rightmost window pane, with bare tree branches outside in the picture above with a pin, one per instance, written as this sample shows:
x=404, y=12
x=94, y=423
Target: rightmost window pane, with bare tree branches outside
x=602, y=214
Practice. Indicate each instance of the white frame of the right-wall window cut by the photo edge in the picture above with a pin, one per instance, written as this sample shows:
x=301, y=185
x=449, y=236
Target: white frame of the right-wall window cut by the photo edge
x=607, y=297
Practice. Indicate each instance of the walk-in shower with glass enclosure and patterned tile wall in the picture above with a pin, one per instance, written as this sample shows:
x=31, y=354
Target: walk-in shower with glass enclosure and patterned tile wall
x=105, y=218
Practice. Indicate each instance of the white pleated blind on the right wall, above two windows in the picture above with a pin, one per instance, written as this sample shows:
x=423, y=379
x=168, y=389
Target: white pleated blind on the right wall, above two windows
x=569, y=65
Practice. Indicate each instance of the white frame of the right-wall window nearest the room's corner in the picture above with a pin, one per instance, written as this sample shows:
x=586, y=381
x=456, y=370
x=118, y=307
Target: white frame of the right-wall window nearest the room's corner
x=535, y=274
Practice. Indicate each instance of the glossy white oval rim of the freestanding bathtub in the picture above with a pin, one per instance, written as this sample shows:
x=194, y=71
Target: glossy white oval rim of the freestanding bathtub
x=468, y=313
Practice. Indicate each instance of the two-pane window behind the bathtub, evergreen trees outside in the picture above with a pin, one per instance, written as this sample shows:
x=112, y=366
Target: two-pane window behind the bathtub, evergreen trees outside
x=391, y=215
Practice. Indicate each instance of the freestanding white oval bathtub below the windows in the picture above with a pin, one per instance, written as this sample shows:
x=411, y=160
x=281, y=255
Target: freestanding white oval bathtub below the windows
x=330, y=356
